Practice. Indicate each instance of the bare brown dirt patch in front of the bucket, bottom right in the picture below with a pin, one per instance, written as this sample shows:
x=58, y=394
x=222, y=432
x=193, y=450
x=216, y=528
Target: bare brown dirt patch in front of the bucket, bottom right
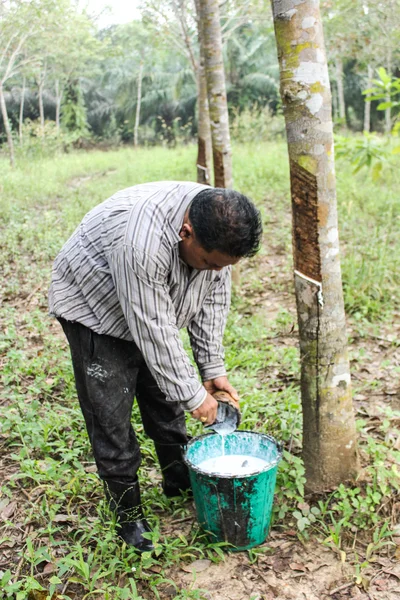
x=290, y=571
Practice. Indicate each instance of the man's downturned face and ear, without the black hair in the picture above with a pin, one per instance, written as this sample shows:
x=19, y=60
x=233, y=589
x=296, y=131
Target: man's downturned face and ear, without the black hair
x=196, y=257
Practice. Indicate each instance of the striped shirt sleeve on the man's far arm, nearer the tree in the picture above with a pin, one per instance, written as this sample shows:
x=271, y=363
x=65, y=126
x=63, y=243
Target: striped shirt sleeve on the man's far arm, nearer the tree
x=206, y=330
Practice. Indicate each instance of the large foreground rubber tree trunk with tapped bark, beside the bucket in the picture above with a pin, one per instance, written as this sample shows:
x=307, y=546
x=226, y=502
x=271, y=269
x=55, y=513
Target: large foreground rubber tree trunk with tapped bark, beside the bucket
x=329, y=435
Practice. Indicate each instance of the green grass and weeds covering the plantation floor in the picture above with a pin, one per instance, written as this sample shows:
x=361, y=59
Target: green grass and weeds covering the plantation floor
x=62, y=540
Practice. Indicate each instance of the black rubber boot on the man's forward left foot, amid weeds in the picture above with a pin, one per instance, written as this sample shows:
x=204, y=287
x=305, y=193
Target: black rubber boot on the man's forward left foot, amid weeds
x=124, y=500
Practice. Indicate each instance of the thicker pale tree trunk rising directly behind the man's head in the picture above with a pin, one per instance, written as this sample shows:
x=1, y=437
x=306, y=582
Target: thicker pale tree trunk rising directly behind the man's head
x=217, y=101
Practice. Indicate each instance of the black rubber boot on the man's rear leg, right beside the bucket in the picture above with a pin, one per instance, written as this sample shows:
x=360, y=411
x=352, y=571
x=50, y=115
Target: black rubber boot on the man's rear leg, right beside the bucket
x=174, y=471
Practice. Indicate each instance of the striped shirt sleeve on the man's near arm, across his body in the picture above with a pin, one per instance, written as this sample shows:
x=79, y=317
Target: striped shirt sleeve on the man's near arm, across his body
x=144, y=297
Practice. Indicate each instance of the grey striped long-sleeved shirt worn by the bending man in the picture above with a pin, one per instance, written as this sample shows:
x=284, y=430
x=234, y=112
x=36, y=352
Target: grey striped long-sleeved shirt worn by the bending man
x=120, y=274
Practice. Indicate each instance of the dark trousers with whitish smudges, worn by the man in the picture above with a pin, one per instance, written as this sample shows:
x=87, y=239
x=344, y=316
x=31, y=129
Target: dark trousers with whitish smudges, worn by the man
x=109, y=373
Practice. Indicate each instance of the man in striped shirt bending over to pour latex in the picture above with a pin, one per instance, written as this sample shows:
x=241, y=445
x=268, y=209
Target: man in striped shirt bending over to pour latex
x=152, y=259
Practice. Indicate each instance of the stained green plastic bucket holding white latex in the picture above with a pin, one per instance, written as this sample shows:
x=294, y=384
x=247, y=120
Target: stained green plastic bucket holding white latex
x=234, y=509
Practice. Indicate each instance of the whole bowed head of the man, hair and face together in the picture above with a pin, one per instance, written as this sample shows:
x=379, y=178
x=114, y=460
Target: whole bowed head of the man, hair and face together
x=220, y=227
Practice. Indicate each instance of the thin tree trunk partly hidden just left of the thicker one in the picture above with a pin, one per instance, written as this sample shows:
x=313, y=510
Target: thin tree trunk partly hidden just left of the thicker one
x=204, y=146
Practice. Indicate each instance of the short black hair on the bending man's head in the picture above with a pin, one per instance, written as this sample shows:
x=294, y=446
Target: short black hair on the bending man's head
x=226, y=221
